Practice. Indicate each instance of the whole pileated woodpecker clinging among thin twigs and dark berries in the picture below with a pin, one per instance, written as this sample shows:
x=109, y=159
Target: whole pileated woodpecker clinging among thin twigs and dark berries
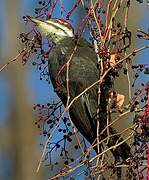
x=82, y=73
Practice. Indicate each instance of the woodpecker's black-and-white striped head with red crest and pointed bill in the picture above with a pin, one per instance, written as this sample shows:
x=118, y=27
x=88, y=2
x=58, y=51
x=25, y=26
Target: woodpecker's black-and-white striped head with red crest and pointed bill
x=55, y=29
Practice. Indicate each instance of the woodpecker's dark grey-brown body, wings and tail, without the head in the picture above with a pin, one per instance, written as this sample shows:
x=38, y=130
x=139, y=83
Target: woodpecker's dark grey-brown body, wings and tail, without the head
x=82, y=73
